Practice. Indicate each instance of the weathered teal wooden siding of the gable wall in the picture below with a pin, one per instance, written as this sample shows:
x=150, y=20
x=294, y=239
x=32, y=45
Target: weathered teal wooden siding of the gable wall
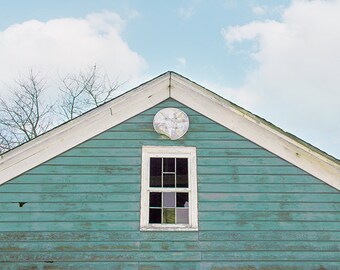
x=80, y=210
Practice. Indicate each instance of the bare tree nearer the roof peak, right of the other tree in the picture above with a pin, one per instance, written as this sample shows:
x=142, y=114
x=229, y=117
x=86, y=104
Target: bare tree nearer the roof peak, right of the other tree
x=84, y=91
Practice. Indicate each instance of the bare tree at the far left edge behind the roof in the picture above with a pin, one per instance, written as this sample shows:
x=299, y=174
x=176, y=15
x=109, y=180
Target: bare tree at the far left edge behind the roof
x=24, y=116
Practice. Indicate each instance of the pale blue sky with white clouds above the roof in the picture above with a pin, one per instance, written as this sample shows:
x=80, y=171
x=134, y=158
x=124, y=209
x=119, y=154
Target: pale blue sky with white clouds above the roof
x=278, y=59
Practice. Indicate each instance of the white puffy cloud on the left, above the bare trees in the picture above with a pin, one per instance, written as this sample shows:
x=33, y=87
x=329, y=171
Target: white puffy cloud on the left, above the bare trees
x=66, y=45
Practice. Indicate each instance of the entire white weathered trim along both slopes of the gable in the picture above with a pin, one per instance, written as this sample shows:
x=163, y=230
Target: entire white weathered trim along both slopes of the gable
x=170, y=84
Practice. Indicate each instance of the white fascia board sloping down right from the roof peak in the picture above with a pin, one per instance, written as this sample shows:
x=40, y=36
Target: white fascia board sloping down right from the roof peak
x=254, y=129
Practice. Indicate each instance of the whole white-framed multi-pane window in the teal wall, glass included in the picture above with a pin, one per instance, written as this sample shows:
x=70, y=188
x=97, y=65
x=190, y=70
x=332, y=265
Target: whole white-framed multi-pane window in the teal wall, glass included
x=169, y=188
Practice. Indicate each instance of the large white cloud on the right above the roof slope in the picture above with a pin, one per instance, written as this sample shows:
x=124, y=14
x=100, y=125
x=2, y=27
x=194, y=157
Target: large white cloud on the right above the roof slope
x=298, y=76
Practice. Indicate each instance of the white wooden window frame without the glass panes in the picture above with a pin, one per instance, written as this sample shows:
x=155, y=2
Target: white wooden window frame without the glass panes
x=169, y=152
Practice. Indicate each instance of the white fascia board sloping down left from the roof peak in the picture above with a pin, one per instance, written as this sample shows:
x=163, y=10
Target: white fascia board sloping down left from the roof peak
x=68, y=135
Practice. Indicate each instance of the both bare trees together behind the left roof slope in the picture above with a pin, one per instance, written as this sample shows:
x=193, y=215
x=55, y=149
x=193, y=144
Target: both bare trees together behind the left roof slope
x=26, y=114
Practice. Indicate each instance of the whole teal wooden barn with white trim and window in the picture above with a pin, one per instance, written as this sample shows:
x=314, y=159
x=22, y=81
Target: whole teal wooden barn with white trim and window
x=169, y=176
